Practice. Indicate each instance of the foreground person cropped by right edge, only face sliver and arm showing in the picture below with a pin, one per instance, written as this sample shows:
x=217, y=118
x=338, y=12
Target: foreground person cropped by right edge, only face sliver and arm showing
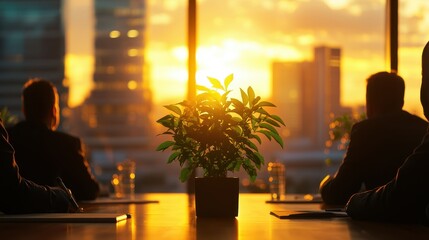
x=406, y=197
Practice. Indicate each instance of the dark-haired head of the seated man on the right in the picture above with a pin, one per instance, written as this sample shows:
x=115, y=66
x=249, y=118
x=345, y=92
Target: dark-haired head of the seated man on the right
x=384, y=93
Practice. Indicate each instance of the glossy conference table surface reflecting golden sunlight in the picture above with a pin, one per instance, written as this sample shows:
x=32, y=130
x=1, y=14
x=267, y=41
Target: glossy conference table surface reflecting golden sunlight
x=174, y=218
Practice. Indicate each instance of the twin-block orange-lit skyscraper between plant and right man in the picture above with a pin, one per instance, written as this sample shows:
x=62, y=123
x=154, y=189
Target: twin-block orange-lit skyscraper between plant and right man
x=307, y=93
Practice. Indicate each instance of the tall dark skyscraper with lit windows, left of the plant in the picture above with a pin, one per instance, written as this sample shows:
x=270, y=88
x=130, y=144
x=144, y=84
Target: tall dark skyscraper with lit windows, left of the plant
x=116, y=114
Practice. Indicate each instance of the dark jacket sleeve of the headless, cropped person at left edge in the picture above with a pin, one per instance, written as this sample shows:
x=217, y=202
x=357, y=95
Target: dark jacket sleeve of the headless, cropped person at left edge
x=20, y=195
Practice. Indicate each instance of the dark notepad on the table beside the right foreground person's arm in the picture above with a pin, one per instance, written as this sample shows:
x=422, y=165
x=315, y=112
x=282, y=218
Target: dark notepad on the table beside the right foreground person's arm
x=307, y=214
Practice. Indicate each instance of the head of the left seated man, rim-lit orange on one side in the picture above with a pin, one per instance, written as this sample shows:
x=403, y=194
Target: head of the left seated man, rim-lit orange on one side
x=41, y=103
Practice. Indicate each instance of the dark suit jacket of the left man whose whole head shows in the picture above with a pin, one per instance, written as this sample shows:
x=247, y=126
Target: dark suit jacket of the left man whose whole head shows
x=43, y=155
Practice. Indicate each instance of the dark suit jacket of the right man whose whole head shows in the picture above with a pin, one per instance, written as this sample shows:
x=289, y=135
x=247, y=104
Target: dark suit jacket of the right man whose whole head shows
x=378, y=147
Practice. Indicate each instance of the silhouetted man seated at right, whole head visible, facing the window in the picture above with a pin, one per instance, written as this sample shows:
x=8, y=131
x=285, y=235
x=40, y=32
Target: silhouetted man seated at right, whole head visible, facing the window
x=378, y=145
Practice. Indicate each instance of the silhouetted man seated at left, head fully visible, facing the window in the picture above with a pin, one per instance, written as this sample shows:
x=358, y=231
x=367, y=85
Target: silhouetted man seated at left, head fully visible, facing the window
x=43, y=153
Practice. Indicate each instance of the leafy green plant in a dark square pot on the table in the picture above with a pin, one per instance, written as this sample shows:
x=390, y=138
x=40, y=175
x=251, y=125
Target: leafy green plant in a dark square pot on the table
x=218, y=133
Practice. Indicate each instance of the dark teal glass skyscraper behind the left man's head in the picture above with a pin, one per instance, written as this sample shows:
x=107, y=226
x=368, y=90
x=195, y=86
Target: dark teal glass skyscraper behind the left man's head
x=31, y=45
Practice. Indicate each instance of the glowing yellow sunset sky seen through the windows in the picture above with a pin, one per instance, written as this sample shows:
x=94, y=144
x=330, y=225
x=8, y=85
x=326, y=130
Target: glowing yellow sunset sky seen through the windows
x=244, y=36
